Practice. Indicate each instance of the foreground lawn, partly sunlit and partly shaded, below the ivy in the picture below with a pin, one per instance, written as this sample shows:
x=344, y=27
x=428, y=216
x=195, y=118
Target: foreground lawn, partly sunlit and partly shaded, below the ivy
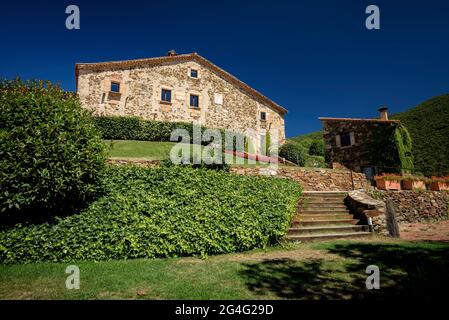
x=329, y=270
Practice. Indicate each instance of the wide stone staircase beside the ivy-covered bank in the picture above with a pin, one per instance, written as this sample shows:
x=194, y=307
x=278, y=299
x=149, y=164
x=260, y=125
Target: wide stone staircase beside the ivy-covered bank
x=323, y=215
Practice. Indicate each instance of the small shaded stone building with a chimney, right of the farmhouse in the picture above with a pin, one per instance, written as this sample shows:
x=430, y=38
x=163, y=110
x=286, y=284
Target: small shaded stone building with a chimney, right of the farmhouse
x=349, y=142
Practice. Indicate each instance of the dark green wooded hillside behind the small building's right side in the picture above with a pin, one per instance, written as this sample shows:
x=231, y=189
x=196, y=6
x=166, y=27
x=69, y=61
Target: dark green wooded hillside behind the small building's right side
x=428, y=124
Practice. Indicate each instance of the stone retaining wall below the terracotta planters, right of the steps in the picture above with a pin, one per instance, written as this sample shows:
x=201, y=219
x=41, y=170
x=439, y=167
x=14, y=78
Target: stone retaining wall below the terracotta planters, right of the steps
x=415, y=206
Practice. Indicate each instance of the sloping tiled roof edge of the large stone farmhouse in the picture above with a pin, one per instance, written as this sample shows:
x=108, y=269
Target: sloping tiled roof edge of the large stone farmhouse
x=129, y=64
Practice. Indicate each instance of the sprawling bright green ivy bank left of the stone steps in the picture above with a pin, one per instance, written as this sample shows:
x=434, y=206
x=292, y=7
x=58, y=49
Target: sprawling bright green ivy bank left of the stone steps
x=163, y=212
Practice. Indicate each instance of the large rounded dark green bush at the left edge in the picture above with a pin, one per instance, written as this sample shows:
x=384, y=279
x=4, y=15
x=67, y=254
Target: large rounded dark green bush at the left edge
x=51, y=156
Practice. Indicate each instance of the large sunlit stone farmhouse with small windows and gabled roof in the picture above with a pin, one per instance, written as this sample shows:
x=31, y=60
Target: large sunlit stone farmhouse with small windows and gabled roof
x=179, y=87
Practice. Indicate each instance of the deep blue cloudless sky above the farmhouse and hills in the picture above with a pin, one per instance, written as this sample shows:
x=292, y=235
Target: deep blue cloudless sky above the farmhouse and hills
x=315, y=58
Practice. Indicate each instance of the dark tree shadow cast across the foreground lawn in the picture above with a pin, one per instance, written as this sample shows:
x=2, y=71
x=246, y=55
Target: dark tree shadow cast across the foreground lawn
x=406, y=271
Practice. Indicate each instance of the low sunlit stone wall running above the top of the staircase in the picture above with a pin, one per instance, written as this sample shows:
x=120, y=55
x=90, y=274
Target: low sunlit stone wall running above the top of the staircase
x=312, y=179
